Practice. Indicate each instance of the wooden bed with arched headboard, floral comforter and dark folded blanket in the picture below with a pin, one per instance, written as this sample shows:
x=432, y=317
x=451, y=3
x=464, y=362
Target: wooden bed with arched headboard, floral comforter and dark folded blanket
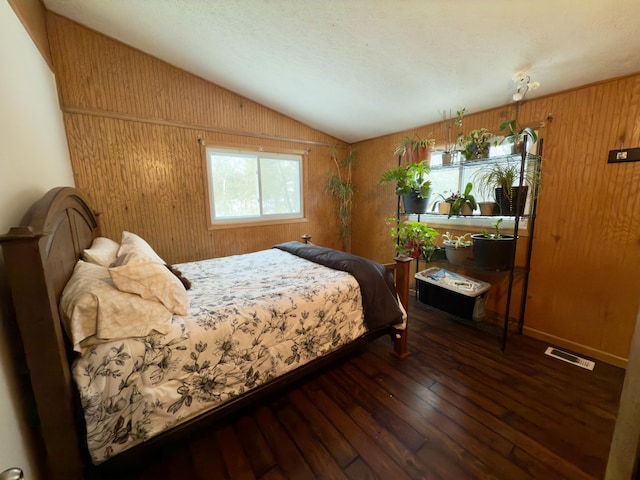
x=222, y=353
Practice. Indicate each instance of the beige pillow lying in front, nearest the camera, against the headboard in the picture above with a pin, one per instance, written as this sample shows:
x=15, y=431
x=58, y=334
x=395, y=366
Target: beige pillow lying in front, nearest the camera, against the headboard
x=92, y=307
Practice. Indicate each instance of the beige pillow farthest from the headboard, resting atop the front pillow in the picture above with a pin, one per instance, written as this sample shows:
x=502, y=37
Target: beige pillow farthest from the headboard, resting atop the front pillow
x=152, y=281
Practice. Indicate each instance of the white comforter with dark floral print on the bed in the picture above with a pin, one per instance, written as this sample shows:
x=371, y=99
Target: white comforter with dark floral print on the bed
x=252, y=318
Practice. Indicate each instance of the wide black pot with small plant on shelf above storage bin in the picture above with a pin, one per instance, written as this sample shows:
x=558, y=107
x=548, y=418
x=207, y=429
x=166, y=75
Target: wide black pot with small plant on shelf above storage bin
x=493, y=250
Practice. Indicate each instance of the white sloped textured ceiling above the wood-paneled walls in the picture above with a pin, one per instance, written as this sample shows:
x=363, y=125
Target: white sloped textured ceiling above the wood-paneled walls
x=358, y=69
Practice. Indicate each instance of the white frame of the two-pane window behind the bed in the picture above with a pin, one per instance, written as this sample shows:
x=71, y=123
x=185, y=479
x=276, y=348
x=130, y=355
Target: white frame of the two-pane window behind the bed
x=260, y=218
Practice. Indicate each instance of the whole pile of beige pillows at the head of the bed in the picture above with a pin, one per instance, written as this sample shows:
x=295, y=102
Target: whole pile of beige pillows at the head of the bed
x=119, y=291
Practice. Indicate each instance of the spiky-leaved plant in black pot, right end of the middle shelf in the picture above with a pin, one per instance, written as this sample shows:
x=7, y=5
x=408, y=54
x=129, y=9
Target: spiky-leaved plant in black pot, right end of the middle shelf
x=499, y=178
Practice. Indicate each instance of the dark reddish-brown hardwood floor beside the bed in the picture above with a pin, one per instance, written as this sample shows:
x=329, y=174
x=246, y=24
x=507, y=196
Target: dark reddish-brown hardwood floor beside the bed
x=457, y=408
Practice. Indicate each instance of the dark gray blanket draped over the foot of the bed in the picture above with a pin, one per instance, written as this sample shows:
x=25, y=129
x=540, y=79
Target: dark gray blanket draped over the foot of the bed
x=379, y=298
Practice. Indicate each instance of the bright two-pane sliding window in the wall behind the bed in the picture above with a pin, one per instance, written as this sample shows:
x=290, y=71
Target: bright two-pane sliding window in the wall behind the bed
x=249, y=186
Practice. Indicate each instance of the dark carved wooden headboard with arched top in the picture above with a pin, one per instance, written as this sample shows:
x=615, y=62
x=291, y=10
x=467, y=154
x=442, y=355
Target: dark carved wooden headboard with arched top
x=39, y=259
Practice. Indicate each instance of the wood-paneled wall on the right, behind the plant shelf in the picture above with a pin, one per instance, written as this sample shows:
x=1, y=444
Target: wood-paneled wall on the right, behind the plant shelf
x=584, y=289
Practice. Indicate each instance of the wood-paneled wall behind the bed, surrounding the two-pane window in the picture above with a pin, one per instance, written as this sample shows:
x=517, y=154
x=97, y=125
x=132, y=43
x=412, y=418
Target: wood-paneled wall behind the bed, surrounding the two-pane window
x=133, y=124
